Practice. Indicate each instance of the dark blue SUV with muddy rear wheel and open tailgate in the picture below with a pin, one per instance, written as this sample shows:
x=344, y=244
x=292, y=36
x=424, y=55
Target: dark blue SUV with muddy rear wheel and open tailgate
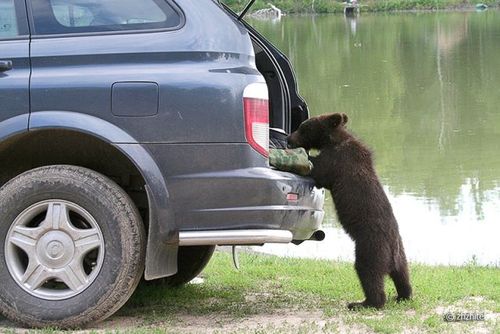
x=134, y=137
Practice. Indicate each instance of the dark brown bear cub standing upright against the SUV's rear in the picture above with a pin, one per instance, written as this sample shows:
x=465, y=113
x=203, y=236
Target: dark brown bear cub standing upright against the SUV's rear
x=345, y=167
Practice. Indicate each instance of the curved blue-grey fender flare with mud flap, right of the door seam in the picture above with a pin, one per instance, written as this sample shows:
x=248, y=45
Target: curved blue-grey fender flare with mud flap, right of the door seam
x=163, y=236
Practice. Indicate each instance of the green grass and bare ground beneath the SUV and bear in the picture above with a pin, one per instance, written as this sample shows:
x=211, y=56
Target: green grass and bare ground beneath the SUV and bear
x=268, y=291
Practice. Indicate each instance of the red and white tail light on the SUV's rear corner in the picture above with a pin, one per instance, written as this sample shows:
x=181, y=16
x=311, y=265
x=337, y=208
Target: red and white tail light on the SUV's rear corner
x=256, y=110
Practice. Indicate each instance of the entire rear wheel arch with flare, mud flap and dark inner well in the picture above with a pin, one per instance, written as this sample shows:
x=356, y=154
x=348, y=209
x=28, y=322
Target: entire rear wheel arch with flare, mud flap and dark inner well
x=58, y=137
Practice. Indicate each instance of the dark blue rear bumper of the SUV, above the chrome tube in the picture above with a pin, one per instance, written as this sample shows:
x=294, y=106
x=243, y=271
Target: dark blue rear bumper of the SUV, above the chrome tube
x=247, y=199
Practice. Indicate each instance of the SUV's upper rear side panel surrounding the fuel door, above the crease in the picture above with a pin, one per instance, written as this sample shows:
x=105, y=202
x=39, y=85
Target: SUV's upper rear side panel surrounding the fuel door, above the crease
x=200, y=79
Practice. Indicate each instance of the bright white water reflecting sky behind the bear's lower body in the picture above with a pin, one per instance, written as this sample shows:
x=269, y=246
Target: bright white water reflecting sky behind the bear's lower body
x=428, y=236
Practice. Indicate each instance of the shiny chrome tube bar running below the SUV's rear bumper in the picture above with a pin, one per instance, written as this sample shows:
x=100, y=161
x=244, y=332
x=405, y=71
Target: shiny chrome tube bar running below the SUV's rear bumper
x=233, y=237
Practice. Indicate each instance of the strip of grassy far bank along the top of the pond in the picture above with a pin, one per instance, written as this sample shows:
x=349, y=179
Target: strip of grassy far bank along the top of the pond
x=333, y=6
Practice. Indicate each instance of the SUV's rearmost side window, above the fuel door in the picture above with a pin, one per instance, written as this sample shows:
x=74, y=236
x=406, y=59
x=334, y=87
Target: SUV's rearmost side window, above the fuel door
x=83, y=16
